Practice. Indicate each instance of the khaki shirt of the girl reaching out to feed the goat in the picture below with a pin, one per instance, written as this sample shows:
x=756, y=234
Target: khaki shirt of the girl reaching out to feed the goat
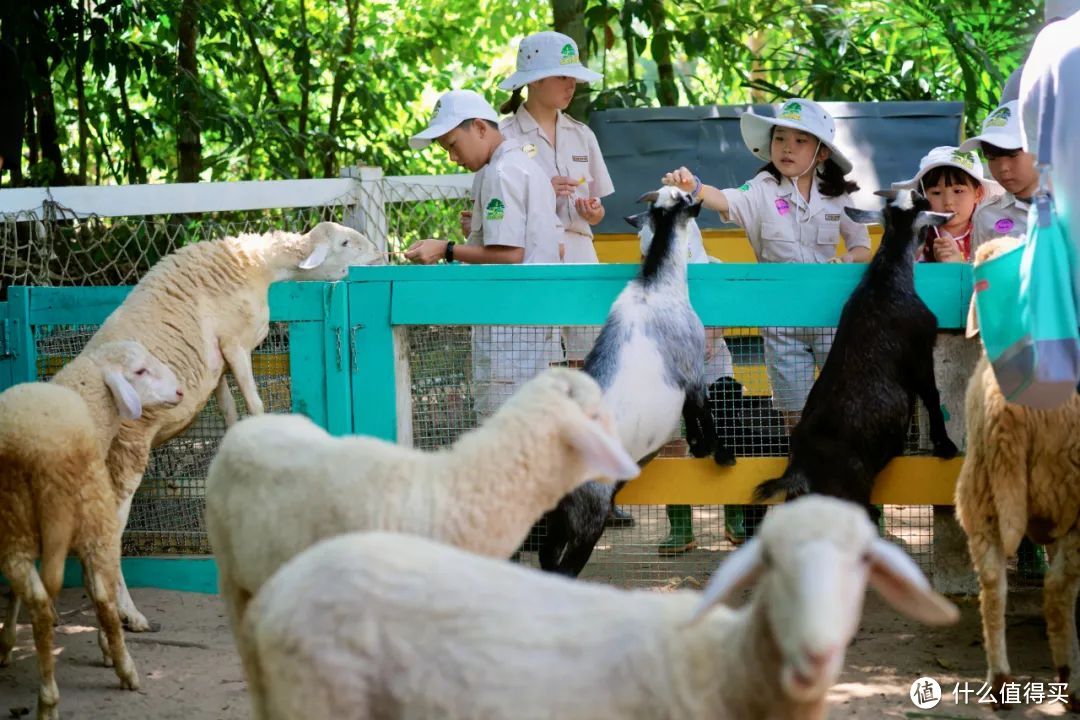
x=785, y=228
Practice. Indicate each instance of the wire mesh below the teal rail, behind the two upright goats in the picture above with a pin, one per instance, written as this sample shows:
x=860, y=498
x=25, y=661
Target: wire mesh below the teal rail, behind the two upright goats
x=461, y=375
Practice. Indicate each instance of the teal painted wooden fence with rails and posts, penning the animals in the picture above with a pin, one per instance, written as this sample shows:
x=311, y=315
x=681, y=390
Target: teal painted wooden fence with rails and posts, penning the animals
x=344, y=346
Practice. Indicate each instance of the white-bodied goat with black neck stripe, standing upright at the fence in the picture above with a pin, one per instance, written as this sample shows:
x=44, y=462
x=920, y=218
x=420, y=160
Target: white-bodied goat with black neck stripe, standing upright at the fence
x=651, y=362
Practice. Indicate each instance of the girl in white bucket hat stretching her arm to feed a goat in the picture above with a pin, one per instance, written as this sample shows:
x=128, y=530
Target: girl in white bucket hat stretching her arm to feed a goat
x=792, y=212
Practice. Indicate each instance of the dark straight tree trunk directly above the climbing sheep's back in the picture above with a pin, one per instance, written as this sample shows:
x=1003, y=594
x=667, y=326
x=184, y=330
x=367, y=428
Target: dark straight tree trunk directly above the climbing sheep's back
x=188, y=139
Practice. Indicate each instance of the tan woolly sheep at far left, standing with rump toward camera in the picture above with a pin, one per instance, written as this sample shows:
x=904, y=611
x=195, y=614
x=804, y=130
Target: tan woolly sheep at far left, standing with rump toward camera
x=59, y=496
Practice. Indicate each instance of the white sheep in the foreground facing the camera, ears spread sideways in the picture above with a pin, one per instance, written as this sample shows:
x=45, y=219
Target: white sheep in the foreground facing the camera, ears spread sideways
x=382, y=626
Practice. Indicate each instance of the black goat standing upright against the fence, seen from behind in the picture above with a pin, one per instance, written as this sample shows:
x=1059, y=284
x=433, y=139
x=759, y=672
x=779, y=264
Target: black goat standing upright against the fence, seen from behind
x=860, y=409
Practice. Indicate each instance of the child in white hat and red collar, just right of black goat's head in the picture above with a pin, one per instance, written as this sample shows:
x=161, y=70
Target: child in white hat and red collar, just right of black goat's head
x=953, y=182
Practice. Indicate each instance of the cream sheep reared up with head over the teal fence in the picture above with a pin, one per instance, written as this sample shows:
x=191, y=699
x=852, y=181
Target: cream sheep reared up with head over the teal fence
x=201, y=308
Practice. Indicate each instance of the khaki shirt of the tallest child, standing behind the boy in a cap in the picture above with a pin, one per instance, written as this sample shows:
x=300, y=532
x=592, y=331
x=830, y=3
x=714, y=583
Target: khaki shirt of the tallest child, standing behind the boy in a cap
x=576, y=154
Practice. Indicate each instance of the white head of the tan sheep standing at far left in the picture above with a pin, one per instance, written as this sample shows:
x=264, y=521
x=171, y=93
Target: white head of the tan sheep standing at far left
x=137, y=378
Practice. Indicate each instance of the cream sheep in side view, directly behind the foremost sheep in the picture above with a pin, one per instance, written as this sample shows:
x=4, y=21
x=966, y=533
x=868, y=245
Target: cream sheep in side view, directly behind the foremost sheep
x=280, y=484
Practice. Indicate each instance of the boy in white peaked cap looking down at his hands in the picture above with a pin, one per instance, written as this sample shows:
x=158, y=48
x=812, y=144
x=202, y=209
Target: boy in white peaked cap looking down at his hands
x=514, y=222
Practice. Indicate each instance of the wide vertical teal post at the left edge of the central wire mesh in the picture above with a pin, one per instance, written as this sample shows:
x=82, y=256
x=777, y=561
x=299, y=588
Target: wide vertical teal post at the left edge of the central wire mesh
x=374, y=402
